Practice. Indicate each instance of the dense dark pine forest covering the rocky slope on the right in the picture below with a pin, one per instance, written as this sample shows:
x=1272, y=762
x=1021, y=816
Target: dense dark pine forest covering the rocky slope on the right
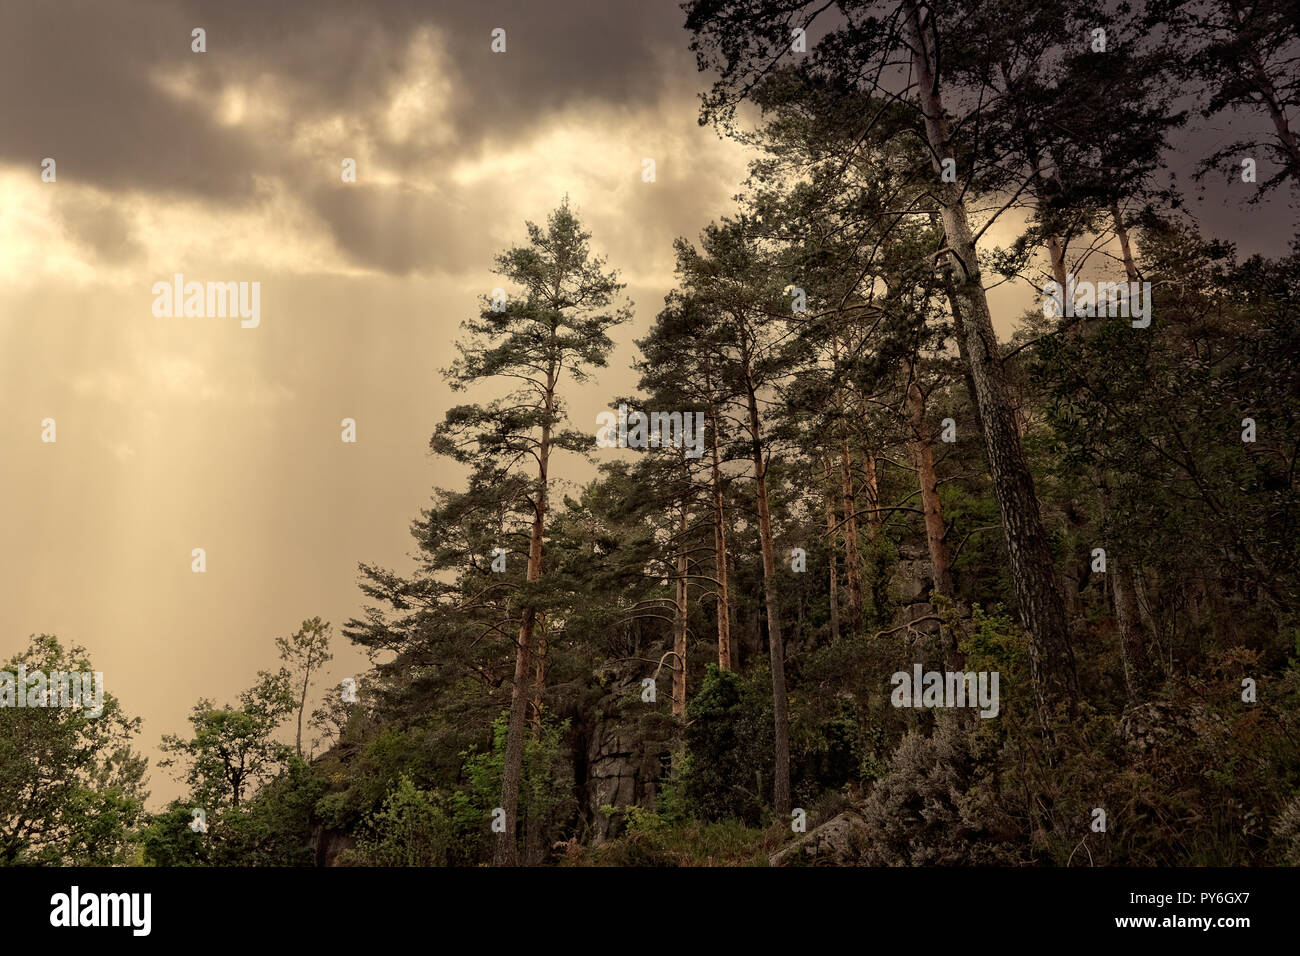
x=678, y=660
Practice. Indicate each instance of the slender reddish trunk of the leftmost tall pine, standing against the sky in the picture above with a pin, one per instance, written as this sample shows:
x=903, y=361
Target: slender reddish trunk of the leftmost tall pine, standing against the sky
x=513, y=776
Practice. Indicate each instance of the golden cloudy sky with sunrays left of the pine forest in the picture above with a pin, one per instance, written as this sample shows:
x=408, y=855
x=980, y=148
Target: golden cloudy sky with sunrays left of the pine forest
x=175, y=434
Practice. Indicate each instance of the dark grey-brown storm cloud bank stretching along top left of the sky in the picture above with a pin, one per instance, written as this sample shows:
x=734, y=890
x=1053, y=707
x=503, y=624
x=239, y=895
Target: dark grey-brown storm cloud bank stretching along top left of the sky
x=75, y=77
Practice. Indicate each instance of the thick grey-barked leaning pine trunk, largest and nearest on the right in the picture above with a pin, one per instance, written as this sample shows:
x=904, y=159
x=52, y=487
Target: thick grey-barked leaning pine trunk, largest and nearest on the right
x=1030, y=559
